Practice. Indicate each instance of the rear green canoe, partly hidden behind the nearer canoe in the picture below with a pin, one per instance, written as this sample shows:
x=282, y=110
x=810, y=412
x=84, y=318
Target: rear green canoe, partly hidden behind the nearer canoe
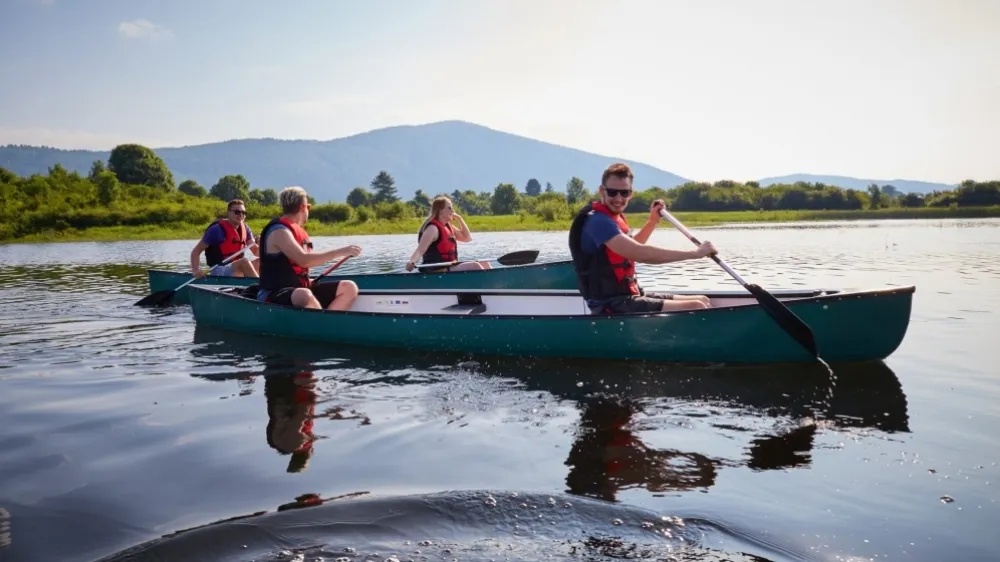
x=549, y=275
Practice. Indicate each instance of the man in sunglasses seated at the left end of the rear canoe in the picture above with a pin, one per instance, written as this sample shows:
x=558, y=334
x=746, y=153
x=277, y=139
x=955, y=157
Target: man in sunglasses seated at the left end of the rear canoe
x=222, y=239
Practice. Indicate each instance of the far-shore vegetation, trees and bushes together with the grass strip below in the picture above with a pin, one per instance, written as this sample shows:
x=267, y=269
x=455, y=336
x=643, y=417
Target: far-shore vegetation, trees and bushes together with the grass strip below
x=132, y=196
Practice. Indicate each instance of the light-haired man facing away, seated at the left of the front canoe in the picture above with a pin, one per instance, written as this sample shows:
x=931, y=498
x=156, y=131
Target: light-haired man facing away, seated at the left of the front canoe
x=286, y=256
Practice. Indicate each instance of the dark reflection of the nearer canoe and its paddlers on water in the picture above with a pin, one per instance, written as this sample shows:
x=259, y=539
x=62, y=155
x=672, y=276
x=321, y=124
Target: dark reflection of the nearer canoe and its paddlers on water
x=783, y=407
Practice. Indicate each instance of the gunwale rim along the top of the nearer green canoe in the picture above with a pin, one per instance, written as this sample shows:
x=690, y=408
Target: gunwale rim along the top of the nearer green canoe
x=220, y=292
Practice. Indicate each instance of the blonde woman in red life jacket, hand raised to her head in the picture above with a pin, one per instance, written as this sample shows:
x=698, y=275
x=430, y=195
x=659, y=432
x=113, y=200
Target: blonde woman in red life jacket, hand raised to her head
x=437, y=239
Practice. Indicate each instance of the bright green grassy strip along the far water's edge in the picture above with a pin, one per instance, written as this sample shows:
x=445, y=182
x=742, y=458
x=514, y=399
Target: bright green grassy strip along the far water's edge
x=490, y=223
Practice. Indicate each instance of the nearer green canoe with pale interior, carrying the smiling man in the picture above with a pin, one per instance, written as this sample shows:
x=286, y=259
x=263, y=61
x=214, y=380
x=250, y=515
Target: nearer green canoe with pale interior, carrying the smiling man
x=849, y=325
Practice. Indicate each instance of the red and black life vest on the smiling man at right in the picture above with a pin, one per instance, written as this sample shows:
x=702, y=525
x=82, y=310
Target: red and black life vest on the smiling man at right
x=602, y=275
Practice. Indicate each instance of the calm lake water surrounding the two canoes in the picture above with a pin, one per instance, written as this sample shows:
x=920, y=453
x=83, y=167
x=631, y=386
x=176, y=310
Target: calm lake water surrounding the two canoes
x=120, y=424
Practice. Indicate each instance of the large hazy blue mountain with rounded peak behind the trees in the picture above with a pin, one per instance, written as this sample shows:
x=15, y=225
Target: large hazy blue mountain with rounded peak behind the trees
x=436, y=157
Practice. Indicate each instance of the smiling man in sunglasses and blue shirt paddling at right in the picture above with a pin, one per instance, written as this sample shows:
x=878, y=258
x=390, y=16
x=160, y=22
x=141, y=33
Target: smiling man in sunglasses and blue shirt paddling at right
x=605, y=253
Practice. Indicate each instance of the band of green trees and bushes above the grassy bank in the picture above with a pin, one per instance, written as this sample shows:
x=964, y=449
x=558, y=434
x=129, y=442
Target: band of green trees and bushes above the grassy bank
x=136, y=188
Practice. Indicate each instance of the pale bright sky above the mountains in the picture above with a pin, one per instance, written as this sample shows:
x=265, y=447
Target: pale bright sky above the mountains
x=707, y=89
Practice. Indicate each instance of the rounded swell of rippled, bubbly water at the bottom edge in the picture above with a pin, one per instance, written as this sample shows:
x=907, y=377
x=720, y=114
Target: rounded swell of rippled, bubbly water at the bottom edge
x=469, y=525
